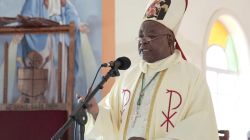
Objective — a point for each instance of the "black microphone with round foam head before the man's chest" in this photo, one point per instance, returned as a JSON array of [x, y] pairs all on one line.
[[122, 63]]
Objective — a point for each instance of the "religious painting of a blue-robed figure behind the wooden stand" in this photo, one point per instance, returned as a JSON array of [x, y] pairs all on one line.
[[39, 52]]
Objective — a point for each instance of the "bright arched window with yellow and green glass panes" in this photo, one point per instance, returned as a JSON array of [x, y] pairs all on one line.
[[226, 60]]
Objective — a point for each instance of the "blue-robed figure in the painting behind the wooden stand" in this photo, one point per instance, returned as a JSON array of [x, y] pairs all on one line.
[[64, 12]]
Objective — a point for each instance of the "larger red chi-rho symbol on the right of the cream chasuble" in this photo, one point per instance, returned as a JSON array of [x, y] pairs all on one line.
[[168, 116]]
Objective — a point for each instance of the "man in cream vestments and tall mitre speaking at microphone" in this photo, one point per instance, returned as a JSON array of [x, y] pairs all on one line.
[[164, 97]]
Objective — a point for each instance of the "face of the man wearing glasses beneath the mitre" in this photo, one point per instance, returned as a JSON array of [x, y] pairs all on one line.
[[156, 41]]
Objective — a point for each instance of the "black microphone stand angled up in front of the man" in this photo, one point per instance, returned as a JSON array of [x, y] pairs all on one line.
[[79, 115]]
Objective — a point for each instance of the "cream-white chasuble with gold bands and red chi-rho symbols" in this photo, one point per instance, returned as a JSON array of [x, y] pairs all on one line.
[[180, 105]]
